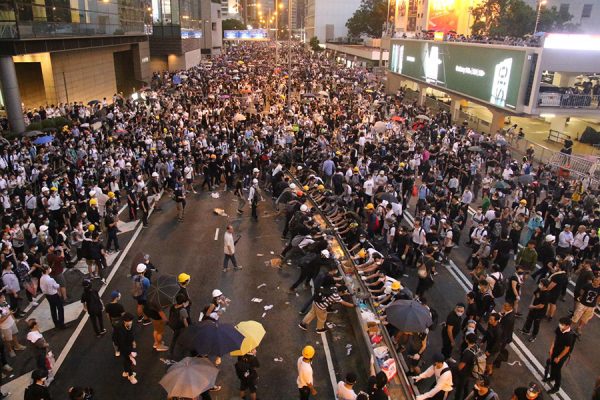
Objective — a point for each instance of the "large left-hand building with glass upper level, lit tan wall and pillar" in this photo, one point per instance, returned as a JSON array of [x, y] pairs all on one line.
[[57, 51]]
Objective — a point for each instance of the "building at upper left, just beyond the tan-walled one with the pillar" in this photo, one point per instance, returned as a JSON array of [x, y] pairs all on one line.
[[183, 32]]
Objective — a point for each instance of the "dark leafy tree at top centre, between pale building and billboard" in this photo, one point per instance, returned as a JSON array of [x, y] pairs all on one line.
[[368, 20]]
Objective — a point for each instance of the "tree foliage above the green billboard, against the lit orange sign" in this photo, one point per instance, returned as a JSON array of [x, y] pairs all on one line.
[[515, 18]]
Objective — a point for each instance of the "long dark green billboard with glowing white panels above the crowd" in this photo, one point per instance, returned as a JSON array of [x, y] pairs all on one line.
[[489, 74]]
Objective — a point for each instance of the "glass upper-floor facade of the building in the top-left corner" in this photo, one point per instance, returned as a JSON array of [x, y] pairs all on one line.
[[23, 19]]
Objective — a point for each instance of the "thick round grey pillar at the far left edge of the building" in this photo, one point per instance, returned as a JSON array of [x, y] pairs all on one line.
[[11, 94]]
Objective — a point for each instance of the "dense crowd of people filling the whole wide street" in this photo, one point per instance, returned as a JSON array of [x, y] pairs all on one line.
[[367, 157]]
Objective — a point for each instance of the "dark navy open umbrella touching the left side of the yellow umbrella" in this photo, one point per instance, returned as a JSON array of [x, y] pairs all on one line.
[[211, 338]]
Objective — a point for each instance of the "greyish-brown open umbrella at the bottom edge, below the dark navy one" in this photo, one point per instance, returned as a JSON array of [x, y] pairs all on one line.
[[189, 378]]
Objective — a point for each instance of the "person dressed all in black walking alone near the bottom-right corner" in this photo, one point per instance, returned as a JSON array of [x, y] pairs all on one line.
[[560, 351]]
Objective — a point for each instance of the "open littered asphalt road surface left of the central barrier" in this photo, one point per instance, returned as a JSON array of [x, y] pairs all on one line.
[[191, 247]]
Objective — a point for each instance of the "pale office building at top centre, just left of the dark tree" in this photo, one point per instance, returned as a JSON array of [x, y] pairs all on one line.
[[326, 19]]
